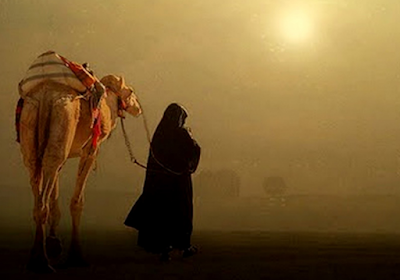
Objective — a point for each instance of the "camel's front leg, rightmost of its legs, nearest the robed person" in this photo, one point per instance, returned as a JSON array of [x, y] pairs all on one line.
[[76, 206]]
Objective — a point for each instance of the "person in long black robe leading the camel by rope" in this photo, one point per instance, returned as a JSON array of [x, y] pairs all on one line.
[[163, 214]]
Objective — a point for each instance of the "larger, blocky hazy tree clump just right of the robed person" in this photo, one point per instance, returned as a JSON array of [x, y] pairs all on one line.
[[217, 184]]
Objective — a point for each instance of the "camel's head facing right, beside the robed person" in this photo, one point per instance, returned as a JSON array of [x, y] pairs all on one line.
[[116, 85]]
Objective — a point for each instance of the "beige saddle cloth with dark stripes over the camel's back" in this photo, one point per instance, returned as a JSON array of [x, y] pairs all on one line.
[[53, 66]]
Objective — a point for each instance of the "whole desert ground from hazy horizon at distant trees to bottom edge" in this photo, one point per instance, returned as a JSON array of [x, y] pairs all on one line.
[[241, 238]]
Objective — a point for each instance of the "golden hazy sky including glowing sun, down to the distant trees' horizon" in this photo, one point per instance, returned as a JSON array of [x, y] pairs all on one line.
[[306, 90]]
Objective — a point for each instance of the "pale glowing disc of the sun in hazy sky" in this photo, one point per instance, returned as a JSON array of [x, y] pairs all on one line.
[[295, 26]]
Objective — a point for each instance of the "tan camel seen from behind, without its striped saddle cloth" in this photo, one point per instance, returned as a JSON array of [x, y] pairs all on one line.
[[56, 124]]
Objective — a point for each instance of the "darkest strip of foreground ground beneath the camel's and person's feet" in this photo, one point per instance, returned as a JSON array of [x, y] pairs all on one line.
[[223, 255]]
